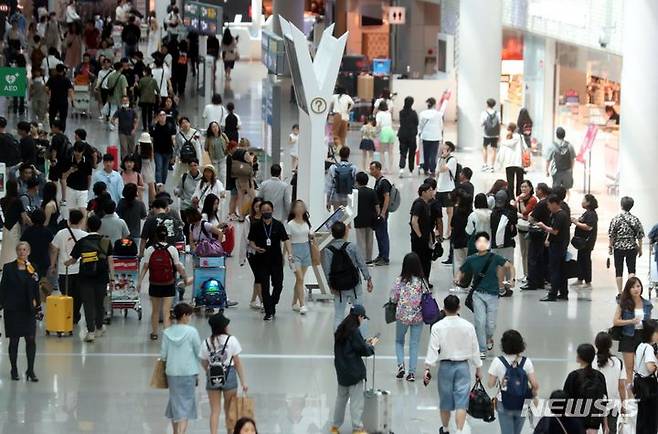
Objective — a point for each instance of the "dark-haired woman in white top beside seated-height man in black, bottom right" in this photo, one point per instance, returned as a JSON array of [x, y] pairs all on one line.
[[613, 370]]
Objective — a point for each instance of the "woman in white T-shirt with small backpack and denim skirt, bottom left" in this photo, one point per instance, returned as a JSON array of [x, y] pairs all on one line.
[[220, 357]]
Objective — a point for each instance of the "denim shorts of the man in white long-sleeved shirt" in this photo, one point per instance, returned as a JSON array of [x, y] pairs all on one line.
[[454, 380]]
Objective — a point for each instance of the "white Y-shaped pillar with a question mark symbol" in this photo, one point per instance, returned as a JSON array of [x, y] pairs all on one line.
[[314, 81]]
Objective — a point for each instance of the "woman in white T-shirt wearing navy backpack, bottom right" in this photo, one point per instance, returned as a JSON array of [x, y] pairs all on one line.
[[510, 419]]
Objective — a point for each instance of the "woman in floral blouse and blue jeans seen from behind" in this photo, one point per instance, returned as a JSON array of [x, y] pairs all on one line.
[[407, 292]]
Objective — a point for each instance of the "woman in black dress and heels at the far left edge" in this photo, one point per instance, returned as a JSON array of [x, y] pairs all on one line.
[[19, 296]]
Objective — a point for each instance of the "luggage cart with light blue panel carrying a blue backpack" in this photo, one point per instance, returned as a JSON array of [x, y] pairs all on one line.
[[209, 272]]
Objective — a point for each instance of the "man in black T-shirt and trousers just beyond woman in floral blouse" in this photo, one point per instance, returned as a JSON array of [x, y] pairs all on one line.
[[421, 228]]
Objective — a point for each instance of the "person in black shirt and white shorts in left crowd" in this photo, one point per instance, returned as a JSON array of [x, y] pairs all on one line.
[[76, 178]]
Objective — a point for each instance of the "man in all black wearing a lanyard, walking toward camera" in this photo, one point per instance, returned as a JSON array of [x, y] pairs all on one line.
[[265, 237]]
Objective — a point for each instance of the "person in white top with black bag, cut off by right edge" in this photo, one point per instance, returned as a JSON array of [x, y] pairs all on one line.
[[646, 365]]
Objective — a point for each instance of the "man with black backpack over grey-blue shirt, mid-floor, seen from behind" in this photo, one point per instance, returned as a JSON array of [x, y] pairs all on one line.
[[342, 262]]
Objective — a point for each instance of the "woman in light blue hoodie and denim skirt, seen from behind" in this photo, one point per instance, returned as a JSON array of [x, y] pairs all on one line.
[[180, 350]]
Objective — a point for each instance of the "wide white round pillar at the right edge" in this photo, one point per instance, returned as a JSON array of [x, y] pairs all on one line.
[[638, 152]]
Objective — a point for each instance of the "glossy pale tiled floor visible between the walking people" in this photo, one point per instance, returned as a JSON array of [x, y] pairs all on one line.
[[103, 387]]
